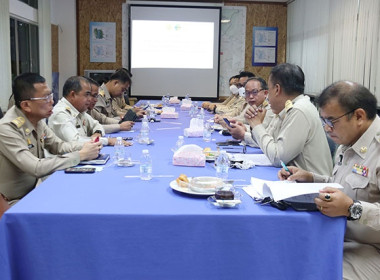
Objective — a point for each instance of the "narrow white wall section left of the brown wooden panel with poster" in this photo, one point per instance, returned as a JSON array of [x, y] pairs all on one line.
[[63, 14]]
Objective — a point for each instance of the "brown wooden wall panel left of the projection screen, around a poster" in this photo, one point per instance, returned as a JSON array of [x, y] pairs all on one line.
[[99, 11]]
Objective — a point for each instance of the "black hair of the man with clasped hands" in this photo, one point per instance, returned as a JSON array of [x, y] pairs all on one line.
[[290, 77]]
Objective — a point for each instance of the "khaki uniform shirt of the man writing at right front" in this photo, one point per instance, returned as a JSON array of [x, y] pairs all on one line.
[[363, 187]]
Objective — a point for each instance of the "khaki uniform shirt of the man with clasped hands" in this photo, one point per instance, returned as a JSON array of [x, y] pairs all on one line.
[[296, 137]]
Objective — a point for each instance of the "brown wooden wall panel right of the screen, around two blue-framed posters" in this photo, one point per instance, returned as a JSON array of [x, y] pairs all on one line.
[[269, 15]]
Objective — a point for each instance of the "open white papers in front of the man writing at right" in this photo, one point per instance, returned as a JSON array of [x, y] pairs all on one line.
[[285, 190]]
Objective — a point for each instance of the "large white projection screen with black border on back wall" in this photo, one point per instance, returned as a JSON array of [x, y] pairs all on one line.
[[174, 50]]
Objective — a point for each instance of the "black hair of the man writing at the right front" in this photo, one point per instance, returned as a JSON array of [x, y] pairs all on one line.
[[350, 96]]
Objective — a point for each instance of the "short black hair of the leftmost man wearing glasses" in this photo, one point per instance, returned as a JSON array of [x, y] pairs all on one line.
[[23, 86]]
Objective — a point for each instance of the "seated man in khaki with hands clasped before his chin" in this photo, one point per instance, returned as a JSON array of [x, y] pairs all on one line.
[[295, 135]]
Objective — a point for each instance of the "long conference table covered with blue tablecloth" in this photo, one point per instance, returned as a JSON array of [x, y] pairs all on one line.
[[108, 226]]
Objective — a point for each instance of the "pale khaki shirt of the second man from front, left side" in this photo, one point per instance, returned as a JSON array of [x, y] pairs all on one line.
[[71, 125]]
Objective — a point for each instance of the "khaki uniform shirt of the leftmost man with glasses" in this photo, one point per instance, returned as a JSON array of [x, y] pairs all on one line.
[[22, 158]]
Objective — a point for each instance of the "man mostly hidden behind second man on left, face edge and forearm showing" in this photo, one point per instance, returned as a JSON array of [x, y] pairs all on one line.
[[110, 125]]
